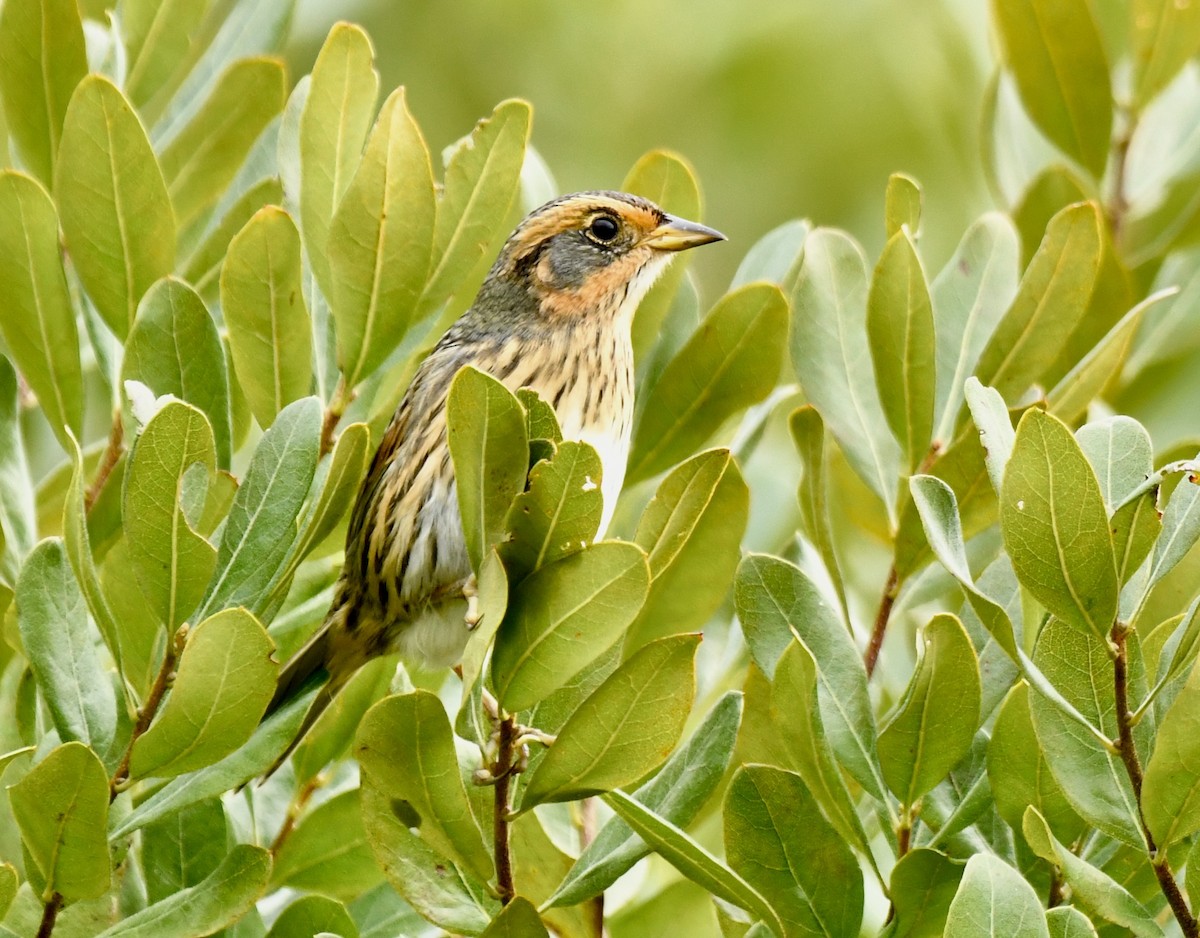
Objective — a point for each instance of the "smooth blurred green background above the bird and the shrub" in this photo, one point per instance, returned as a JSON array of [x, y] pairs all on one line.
[[787, 110]]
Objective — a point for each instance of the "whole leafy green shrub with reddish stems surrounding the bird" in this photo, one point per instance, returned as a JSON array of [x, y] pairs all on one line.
[[239, 280]]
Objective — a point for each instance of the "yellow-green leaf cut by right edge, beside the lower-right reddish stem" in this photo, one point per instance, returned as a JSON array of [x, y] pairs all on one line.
[[1171, 795]]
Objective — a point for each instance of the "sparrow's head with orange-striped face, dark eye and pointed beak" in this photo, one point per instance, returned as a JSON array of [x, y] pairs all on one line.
[[592, 254]]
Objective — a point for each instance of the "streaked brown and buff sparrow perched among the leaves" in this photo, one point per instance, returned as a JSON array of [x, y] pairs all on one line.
[[554, 315]]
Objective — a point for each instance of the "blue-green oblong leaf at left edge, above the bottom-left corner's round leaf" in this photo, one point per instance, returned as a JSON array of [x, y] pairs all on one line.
[[61, 645]]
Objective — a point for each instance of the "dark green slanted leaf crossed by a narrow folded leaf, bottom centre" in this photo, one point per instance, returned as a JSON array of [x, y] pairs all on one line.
[[677, 795]]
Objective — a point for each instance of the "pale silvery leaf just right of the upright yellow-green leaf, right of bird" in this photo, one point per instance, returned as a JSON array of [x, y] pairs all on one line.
[[970, 298]]
